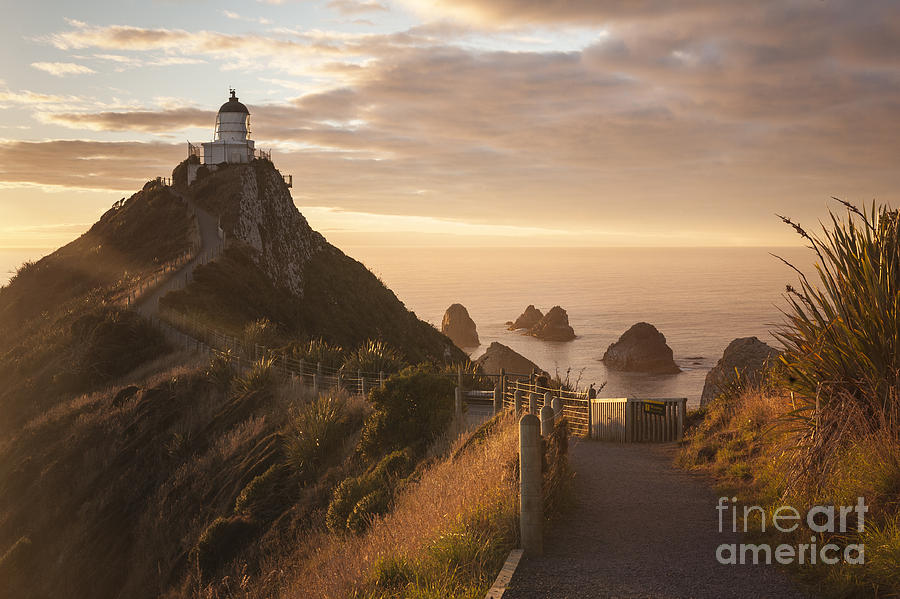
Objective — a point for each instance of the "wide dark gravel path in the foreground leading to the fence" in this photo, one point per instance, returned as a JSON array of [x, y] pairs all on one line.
[[640, 528]]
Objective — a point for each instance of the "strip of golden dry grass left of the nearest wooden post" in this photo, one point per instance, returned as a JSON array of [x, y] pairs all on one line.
[[483, 475]]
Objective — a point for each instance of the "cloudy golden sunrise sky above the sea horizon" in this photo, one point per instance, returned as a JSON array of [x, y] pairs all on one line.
[[464, 122]]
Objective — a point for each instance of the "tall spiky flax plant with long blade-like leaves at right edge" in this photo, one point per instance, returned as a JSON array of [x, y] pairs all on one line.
[[842, 335]]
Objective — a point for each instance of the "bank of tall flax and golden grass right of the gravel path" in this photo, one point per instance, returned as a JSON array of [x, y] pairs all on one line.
[[822, 426]]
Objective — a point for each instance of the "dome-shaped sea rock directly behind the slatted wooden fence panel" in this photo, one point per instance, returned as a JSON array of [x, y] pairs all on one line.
[[641, 348]]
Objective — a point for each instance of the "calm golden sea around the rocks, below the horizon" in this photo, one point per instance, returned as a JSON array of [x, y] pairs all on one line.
[[699, 298]]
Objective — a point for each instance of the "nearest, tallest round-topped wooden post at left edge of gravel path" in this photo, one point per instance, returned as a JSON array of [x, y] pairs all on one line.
[[530, 497]]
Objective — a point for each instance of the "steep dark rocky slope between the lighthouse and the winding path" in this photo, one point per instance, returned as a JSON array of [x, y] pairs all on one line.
[[278, 268]]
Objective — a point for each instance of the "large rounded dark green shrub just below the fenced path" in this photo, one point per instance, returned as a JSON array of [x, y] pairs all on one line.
[[411, 409]]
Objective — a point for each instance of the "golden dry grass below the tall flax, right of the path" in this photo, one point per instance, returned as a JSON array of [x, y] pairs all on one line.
[[754, 446]]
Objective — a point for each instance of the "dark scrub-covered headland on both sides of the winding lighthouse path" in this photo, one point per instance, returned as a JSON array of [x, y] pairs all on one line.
[[140, 472]]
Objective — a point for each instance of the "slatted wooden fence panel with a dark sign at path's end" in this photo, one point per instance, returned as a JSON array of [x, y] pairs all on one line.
[[638, 420]]
